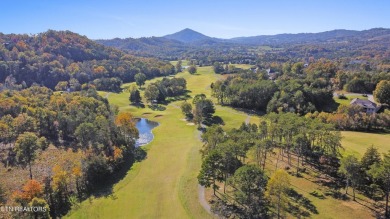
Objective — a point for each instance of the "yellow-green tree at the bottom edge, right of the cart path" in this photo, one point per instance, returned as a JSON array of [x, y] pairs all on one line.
[[277, 189]]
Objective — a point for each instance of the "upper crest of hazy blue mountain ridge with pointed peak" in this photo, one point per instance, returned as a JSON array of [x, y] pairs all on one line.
[[189, 36]]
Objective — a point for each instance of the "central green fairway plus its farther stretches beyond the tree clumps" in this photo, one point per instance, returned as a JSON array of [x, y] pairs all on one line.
[[165, 184]]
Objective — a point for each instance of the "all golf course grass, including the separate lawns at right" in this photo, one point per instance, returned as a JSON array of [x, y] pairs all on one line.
[[164, 185]]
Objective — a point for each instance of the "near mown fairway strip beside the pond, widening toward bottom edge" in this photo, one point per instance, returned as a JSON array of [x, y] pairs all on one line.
[[154, 188]]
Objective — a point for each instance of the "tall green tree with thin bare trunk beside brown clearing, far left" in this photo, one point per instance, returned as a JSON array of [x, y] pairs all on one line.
[[26, 149]]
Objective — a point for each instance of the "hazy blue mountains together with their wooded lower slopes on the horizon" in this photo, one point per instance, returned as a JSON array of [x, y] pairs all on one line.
[[190, 43]]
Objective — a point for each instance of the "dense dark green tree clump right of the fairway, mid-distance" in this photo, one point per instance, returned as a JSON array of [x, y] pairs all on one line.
[[255, 91]]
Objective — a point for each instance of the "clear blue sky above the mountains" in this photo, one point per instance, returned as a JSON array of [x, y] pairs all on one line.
[[217, 18]]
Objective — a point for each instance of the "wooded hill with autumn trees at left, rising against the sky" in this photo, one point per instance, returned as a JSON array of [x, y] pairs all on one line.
[[62, 56]]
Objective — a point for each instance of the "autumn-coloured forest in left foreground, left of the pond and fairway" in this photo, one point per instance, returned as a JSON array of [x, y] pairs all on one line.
[[94, 139]]
